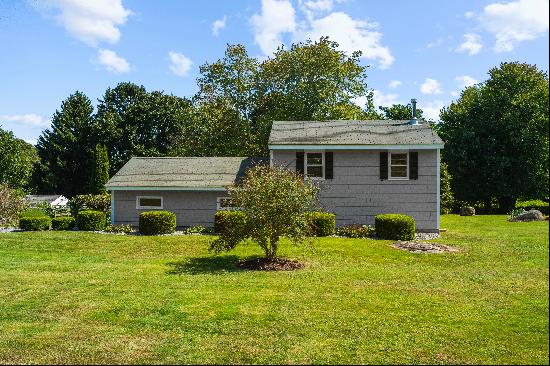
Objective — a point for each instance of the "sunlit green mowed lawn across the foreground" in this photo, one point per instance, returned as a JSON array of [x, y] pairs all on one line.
[[69, 297]]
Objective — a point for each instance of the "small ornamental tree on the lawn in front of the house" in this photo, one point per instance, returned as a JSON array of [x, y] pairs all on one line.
[[274, 200]]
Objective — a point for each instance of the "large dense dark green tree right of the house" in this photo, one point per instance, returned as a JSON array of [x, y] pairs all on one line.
[[496, 137]]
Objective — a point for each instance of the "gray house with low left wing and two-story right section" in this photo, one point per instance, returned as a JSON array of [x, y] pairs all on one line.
[[364, 168]]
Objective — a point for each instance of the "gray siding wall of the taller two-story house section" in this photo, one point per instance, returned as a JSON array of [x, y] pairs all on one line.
[[356, 194]]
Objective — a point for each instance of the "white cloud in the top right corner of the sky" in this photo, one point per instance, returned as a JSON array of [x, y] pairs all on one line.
[[515, 22]]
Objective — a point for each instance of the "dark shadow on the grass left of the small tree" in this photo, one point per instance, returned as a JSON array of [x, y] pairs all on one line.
[[210, 264]]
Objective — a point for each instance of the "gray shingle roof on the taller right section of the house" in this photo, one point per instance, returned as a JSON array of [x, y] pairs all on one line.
[[352, 132]]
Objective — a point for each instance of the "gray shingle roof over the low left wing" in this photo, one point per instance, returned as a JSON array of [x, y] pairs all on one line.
[[196, 172]]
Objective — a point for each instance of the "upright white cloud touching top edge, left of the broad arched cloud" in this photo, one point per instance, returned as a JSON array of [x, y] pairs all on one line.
[[277, 17]]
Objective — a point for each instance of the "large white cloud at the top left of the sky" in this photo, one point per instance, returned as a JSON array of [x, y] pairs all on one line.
[[91, 21]]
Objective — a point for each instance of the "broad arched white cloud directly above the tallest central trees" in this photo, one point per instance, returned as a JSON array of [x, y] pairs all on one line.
[[351, 34]]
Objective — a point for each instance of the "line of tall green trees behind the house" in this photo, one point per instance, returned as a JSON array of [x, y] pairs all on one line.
[[496, 133]]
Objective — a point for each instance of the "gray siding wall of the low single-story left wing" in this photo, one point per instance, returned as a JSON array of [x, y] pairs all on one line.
[[191, 207]]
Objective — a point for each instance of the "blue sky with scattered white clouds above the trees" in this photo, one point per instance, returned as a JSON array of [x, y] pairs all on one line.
[[424, 49]]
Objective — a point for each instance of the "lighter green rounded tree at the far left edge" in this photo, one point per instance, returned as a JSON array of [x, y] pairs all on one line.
[[17, 160]]
